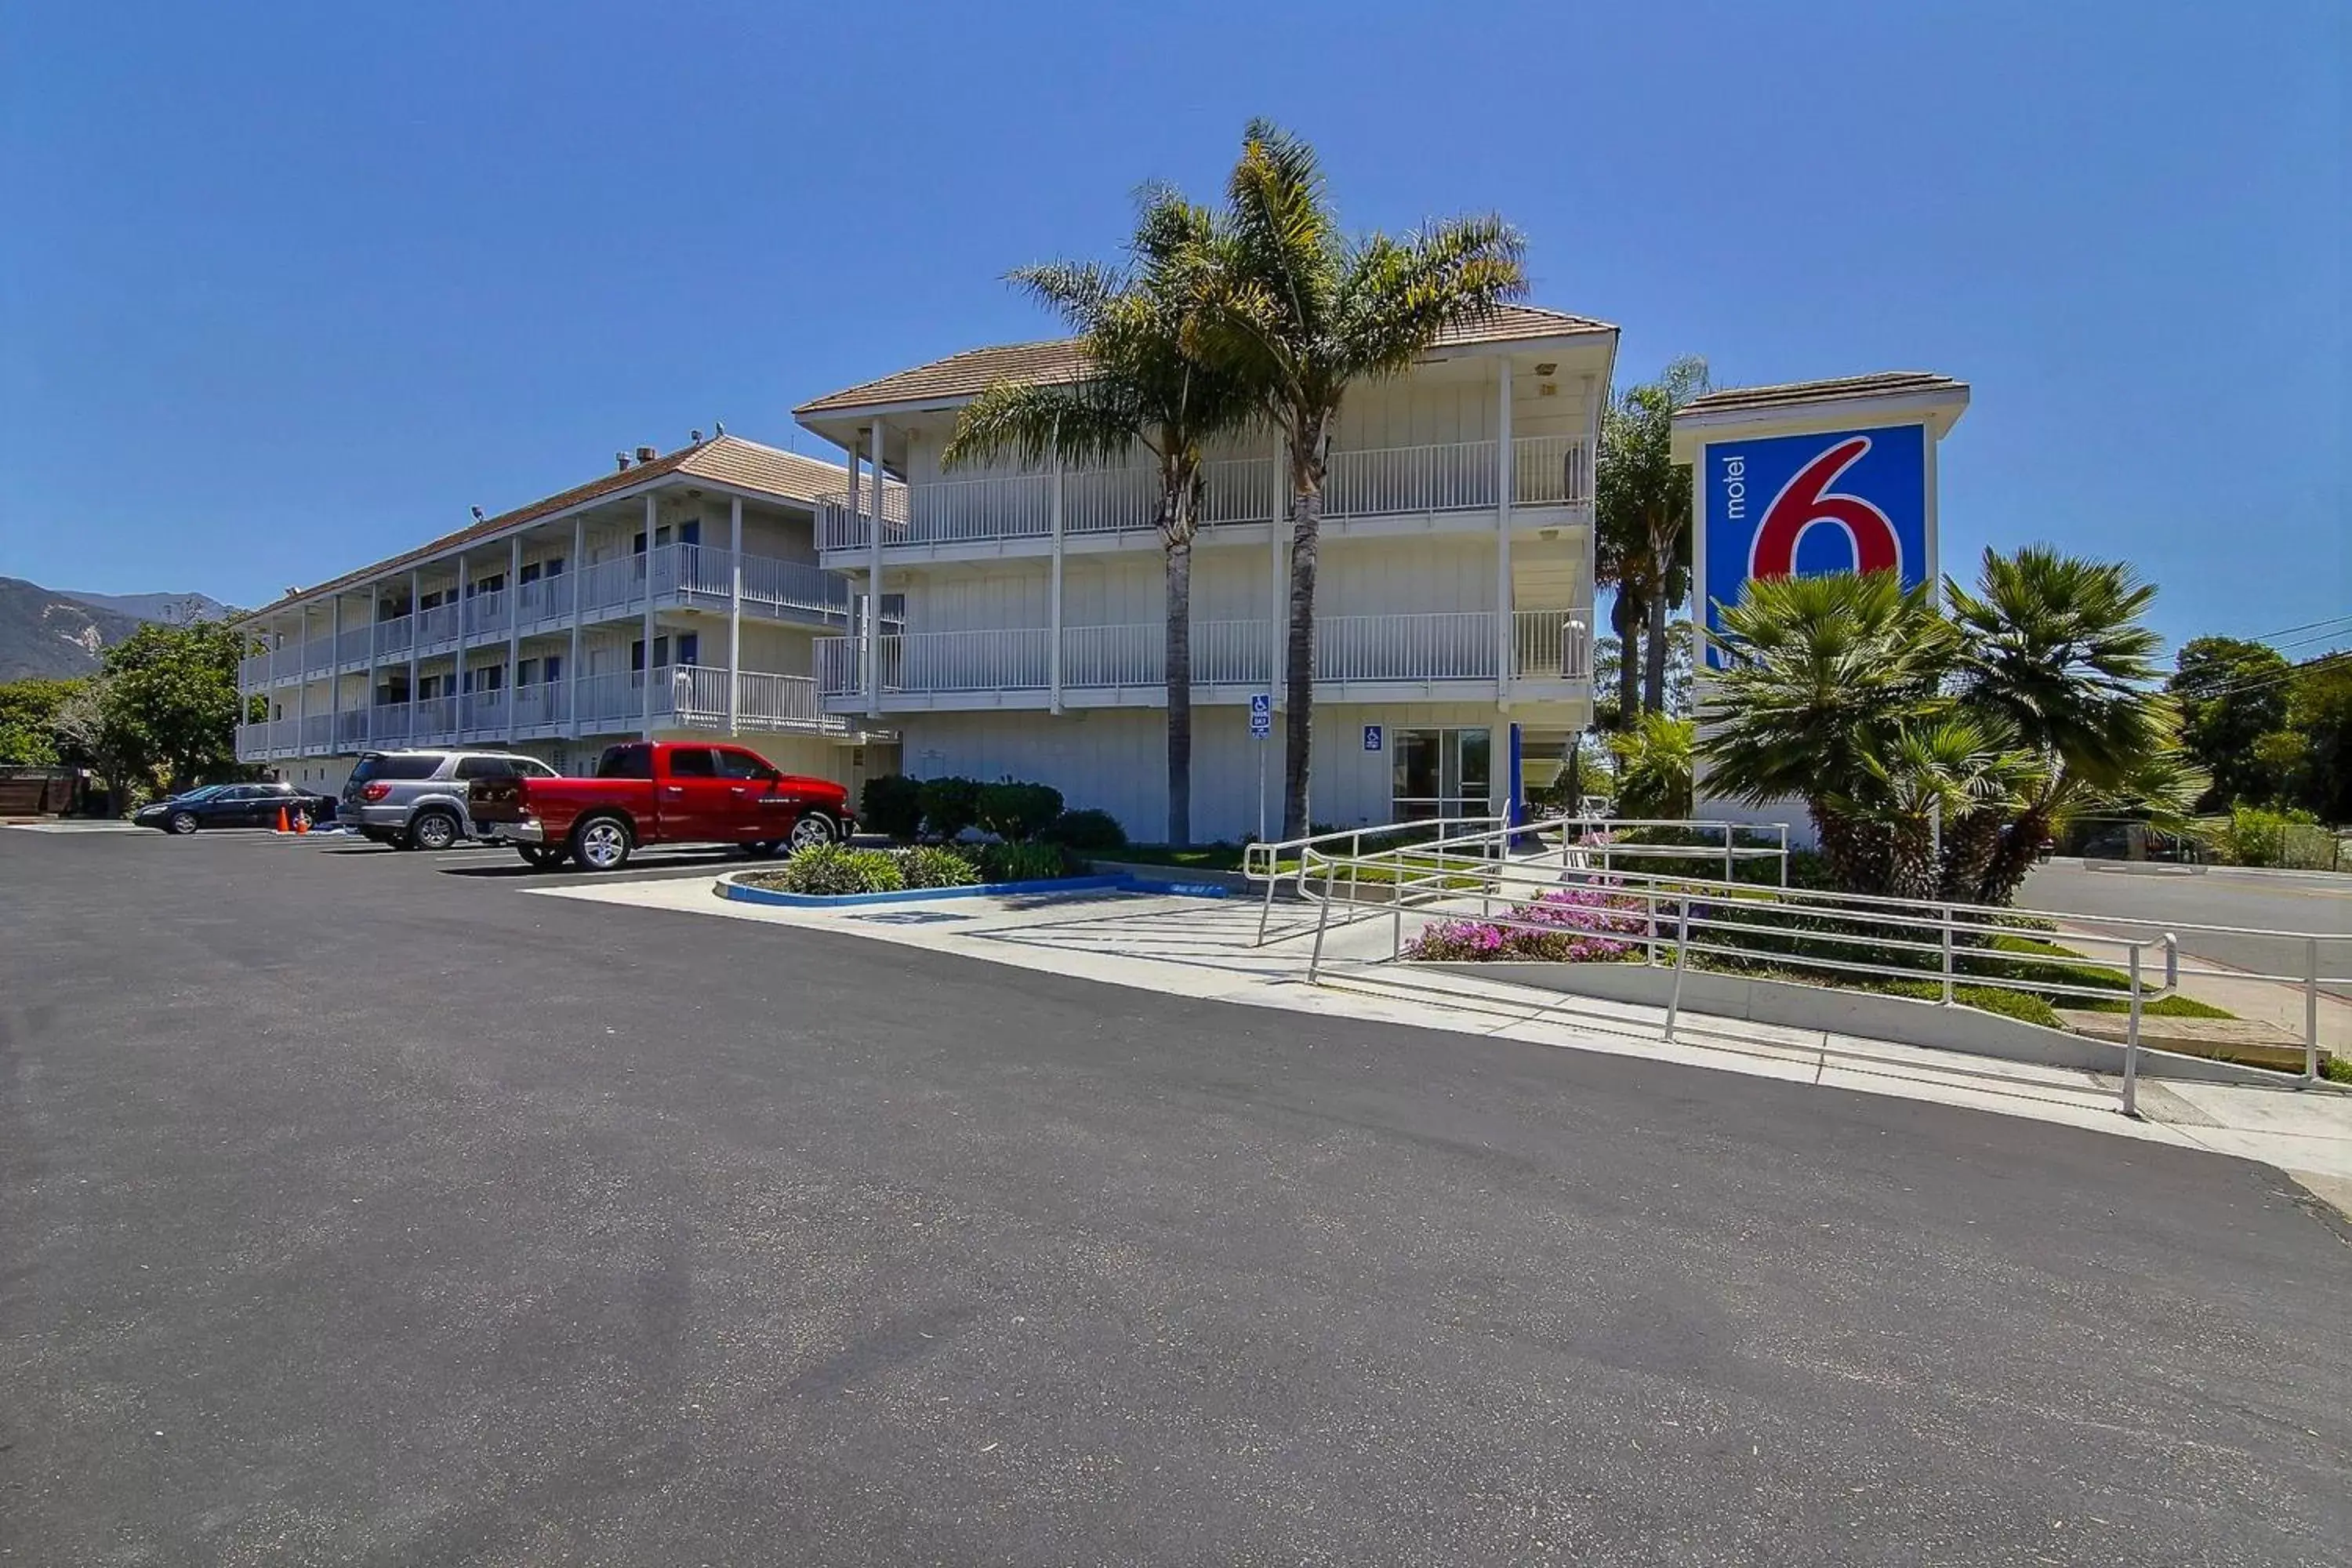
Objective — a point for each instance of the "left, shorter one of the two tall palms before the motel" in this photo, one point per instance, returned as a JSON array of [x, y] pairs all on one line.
[[1142, 389]]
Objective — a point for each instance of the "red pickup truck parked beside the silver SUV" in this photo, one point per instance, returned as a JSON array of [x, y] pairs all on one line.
[[660, 793]]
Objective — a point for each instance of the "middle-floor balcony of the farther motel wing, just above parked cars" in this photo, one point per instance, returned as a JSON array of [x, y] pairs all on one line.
[[683, 697]]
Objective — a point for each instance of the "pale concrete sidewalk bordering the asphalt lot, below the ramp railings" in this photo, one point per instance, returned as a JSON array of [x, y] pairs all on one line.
[[1203, 949]]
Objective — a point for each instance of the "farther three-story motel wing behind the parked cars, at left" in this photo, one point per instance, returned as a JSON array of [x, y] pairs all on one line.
[[676, 596]]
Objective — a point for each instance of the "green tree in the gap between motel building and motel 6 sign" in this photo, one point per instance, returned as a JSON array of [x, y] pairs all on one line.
[[1643, 509]]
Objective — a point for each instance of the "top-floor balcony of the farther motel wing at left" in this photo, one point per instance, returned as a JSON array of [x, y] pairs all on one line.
[[679, 577]]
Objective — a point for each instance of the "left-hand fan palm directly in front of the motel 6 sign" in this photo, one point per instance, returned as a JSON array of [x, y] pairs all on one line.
[[1826, 676]]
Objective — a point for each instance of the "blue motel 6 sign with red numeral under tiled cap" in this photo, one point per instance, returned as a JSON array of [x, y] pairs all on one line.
[[1810, 485]]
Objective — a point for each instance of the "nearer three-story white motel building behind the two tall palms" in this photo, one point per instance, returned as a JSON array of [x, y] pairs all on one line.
[[1022, 624]]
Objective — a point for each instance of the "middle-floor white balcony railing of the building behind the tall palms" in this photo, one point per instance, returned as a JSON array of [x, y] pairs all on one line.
[[1408, 650]]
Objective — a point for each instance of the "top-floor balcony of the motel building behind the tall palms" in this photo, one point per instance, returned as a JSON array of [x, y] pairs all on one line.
[[1384, 490]]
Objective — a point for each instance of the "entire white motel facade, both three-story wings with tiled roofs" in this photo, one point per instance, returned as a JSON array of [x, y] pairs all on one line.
[[728, 591]]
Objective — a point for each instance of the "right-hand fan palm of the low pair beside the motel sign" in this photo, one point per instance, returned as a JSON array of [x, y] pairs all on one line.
[[2057, 648]]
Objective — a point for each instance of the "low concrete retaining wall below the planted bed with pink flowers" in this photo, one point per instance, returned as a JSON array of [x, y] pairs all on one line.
[[1864, 1014]]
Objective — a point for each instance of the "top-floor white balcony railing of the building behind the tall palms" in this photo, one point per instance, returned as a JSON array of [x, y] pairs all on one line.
[[1363, 483]]
